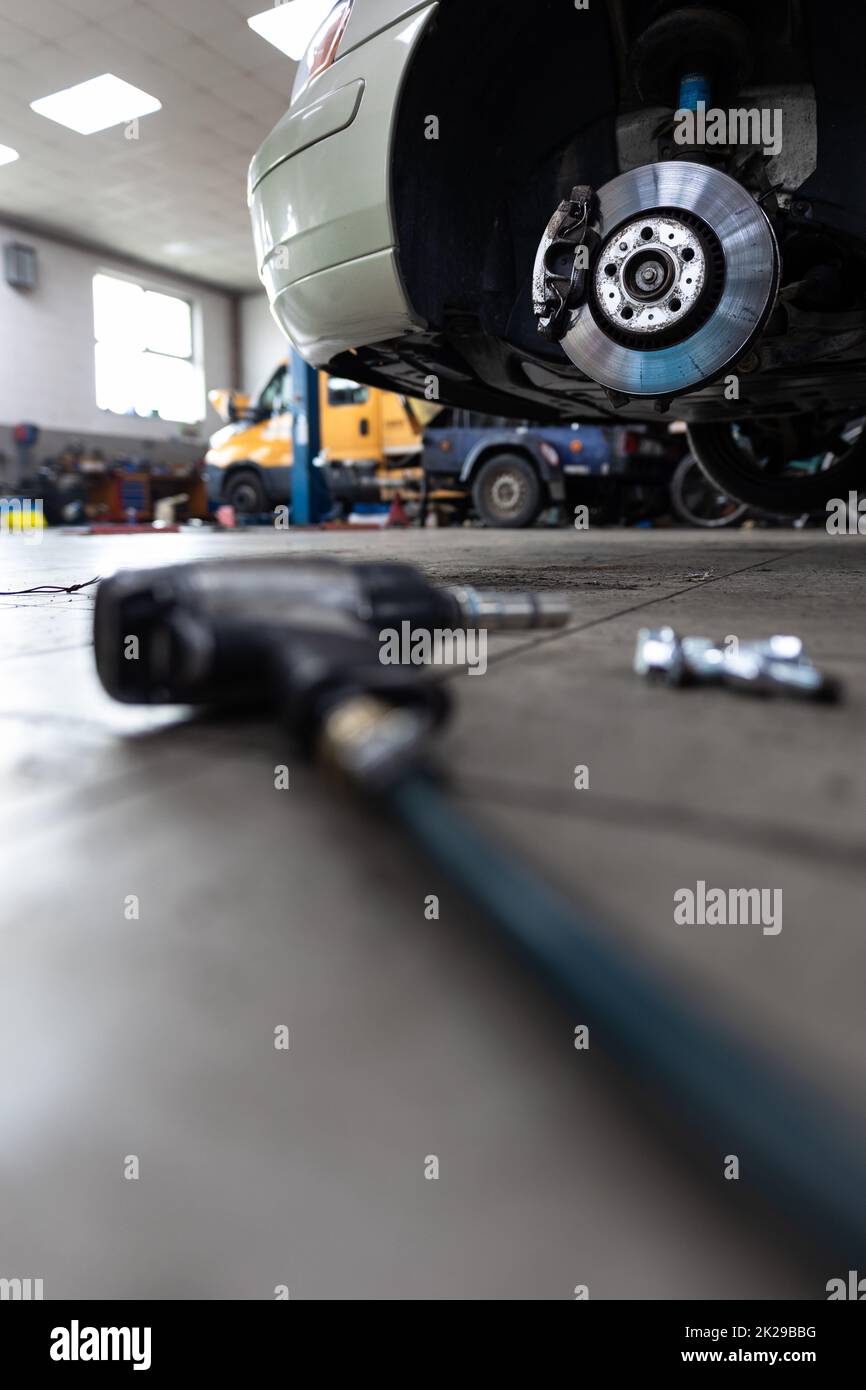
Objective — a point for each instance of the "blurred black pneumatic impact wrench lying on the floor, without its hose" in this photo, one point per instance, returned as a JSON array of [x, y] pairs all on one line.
[[298, 636]]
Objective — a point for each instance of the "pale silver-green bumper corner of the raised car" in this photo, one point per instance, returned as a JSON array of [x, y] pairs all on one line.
[[320, 199]]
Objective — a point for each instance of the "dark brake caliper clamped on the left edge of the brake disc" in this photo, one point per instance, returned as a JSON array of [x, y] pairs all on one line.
[[564, 261]]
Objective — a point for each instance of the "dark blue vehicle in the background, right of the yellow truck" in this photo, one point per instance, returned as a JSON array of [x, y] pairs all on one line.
[[511, 473]]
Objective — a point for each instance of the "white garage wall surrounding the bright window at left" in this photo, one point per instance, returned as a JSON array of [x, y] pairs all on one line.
[[47, 343]]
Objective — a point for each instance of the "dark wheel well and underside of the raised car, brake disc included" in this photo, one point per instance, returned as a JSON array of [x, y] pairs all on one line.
[[630, 211]]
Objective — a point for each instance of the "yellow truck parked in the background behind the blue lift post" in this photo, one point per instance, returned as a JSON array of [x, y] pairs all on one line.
[[370, 444]]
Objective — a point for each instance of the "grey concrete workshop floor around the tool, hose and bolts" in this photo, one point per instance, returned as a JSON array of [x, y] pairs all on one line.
[[414, 1038]]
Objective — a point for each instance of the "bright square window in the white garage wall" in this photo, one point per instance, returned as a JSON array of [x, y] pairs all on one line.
[[144, 352]]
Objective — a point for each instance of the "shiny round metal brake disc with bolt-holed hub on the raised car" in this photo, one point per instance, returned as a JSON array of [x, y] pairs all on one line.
[[686, 276]]
